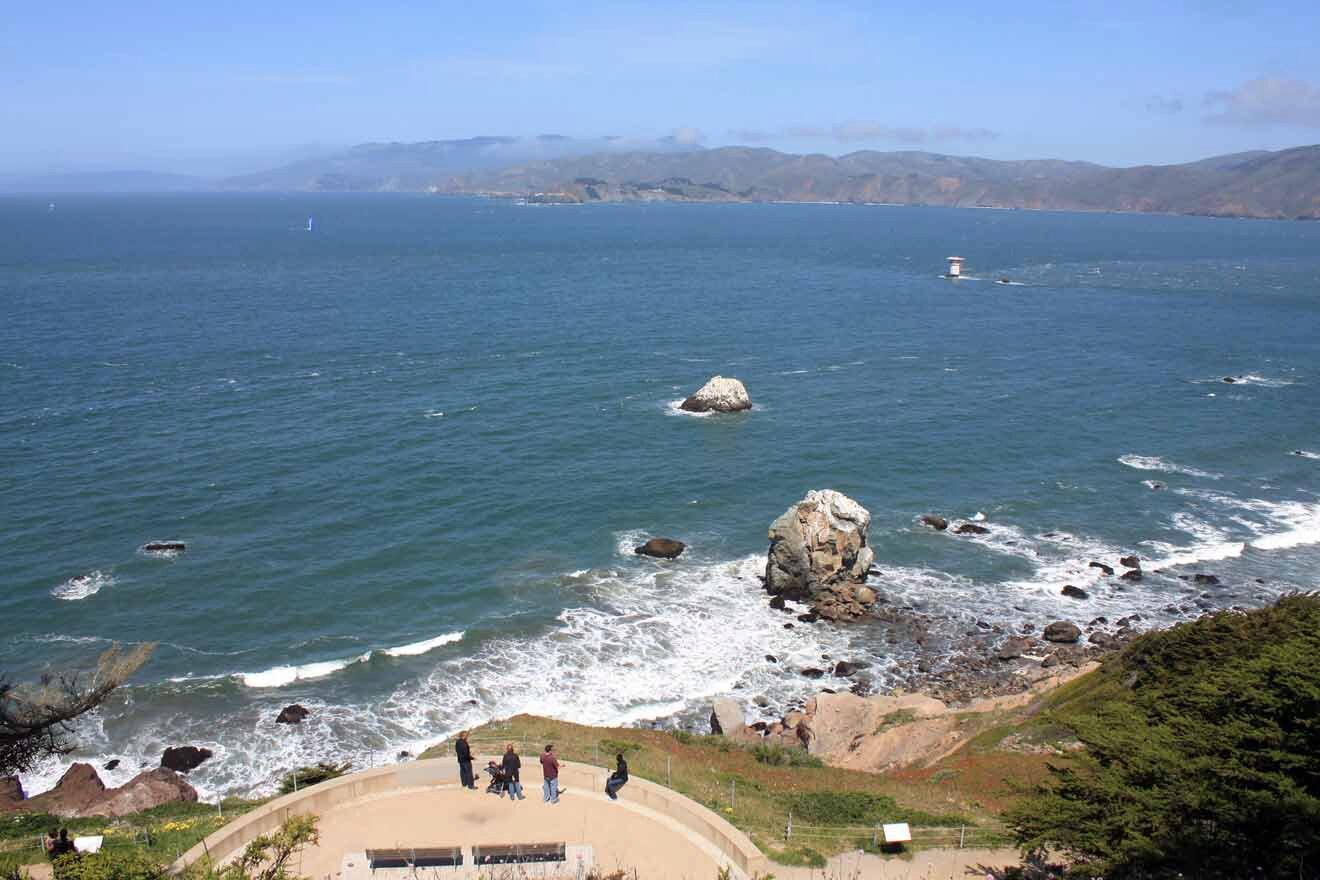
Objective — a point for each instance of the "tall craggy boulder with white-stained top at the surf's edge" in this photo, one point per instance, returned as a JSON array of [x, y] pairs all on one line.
[[819, 555]]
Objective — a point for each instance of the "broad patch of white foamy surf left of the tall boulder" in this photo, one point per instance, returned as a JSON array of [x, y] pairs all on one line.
[[653, 643]]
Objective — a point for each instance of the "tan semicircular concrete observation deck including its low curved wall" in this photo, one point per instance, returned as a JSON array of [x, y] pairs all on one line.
[[653, 829]]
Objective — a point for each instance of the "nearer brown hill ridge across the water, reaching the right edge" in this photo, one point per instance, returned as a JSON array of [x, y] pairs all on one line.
[[1284, 184]]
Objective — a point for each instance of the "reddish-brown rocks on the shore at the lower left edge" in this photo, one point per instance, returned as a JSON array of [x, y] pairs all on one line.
[[80, 794]]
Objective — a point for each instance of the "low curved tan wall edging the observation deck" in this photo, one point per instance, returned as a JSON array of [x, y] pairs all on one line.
[[229, 841]]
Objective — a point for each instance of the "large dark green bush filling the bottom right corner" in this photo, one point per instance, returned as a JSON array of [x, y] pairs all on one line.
[[1203, 754]]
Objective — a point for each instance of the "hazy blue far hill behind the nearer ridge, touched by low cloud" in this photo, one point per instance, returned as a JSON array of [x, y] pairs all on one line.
[[387, 168]]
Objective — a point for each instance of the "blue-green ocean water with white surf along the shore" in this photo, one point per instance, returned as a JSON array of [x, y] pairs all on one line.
[[411, 452]]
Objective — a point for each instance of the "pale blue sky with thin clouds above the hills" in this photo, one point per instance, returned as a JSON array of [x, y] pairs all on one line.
[[226, 88]]
